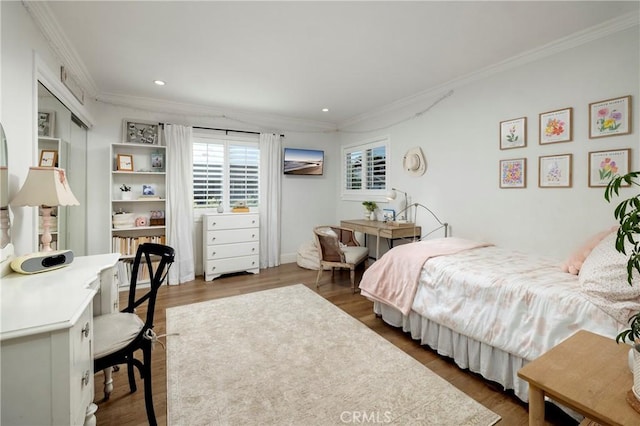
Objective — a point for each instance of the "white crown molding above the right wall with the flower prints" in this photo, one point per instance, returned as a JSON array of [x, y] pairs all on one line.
[[602, 30]]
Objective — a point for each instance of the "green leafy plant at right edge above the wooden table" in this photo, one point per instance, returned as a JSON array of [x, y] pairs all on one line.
[[628, 215]]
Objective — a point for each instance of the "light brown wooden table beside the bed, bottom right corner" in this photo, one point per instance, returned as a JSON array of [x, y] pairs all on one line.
[[588, 373]]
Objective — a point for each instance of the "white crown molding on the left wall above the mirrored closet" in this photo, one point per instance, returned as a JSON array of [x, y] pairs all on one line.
[[53, 33]]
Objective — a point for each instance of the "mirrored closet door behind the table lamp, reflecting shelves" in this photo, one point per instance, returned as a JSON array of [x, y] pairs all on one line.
[[60, 132]]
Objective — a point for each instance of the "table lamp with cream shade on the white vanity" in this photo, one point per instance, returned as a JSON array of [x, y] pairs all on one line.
[[45, 187]]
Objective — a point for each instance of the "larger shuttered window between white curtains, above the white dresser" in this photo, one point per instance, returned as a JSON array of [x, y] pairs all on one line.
[[225, 171]]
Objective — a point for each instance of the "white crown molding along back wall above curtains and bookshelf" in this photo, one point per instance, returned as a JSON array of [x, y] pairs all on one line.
[[255, 120]]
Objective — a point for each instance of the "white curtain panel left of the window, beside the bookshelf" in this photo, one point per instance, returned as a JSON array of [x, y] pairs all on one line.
[[180, 201]]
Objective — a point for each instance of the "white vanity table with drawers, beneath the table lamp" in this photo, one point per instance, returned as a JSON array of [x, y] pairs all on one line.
[[46, 332]]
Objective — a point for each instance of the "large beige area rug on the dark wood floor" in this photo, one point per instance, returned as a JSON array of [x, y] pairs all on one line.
[[287, 356]]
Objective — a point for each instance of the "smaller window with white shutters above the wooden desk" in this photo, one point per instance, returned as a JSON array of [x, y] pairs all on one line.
[[365, 170]]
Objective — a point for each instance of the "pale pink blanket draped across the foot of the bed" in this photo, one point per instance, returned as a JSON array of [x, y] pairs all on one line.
[[393, 279]]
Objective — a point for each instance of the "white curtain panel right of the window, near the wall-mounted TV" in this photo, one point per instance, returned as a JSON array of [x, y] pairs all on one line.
[[270, 195]]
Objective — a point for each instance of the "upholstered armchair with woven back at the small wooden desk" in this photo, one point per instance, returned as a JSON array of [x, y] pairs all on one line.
[[338, 248]]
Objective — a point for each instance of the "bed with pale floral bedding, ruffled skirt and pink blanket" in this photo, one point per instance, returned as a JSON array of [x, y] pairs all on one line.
[[493, 310]]
